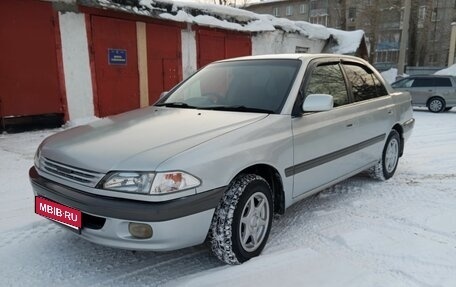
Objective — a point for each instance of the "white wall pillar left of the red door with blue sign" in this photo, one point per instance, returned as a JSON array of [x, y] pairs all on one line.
[[76, 65]]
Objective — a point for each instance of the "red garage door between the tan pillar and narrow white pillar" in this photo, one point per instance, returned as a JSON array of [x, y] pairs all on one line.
[[163, 59]]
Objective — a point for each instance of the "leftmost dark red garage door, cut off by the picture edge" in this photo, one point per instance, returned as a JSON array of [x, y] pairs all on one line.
[[29, 77]]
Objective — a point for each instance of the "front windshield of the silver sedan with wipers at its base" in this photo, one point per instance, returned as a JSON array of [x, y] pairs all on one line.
[[246, 86]]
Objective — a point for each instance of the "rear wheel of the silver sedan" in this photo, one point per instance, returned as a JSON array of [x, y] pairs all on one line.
[[386, 167]]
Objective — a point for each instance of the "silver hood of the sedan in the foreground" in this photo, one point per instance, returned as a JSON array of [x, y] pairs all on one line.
[[141, 139]]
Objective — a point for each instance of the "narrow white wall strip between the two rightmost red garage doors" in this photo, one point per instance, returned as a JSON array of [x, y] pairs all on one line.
[[188, 39]]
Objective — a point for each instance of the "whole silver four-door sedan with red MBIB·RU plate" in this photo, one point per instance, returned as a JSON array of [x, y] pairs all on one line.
[[223, 151]]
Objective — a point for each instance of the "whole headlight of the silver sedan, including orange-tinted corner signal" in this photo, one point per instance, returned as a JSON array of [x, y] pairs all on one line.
[[149, 183]]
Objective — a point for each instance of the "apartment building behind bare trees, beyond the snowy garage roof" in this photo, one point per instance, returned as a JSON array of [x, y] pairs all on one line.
[[429, 34]]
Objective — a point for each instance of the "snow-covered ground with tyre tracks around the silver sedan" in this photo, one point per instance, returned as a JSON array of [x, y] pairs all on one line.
[[358, 233]]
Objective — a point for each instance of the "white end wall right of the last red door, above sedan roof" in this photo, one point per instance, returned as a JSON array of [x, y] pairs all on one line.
[[278, 42]]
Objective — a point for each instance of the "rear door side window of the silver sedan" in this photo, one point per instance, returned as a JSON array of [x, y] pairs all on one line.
[[363, 83]]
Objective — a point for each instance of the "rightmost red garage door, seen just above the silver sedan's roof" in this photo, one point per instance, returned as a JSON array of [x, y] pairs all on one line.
[[217, 45]]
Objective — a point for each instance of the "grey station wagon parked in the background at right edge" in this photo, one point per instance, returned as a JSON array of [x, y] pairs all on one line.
[[436, 92]]
